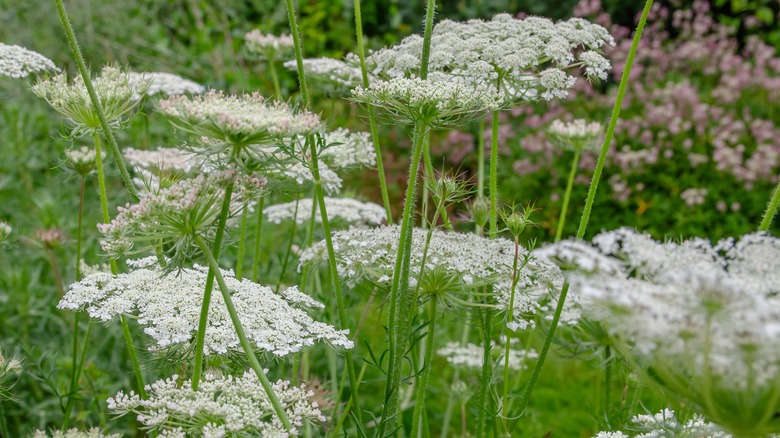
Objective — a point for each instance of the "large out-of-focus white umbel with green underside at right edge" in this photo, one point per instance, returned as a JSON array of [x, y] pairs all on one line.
[[702, 320]]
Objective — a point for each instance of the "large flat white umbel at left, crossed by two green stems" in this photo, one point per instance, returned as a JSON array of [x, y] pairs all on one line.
[[168, 305]]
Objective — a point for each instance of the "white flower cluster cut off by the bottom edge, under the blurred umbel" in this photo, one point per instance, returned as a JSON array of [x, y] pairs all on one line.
[[665, 425]]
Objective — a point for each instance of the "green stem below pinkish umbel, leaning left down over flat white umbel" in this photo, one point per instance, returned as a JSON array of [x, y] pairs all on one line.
[[200, 339]]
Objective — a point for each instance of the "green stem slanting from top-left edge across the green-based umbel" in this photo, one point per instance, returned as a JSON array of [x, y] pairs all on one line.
[[82, 66]]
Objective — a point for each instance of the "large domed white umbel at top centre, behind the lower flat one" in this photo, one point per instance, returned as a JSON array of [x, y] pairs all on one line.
[[506, 50]]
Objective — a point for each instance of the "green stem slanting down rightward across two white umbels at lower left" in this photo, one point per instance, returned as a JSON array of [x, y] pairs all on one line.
[[250, 354]]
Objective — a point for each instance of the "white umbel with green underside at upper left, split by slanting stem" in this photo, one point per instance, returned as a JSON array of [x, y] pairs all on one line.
[[72, 100]]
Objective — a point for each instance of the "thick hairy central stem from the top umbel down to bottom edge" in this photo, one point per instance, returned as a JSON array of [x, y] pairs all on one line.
[[399, 290]]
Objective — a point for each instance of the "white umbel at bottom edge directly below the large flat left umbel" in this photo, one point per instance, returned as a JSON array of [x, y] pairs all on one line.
[[226, 406]]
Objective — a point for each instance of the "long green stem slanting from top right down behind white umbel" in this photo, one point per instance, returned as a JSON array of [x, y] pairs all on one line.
[[588, 205]]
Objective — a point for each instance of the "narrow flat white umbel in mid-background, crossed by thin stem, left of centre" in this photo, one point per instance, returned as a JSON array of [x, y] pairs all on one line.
[[344, 209]]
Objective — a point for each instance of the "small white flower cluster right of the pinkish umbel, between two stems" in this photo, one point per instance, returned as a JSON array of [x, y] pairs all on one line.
[[348, 149]]
